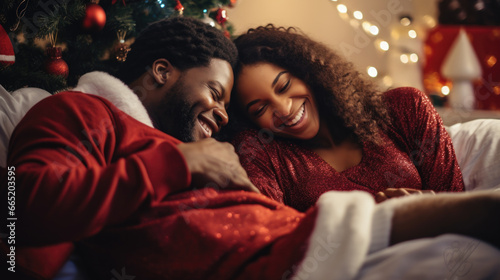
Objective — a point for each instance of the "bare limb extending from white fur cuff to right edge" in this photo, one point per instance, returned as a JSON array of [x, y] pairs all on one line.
[[472, 214]]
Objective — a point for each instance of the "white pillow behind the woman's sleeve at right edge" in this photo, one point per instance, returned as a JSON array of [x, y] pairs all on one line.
[[477, 146]]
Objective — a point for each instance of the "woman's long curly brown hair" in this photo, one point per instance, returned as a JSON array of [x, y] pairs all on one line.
[[346, 100]]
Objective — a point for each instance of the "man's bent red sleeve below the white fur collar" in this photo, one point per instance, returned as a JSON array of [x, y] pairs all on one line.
[[77, 170]]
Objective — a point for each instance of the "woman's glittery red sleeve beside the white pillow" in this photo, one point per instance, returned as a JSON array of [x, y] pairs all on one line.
[[420, 130]]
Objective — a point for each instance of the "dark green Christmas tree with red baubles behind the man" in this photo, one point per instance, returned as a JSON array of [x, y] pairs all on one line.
[[57, 41]]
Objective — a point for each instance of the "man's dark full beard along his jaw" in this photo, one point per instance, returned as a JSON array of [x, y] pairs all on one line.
[[175, 115]]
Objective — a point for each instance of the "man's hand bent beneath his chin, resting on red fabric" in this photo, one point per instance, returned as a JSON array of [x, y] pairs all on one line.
[[216, 165]]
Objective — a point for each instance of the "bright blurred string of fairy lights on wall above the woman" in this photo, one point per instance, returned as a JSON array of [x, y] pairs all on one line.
[[357, 20]]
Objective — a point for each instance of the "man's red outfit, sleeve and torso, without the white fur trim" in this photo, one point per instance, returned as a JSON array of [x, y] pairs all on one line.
[[86, 172]]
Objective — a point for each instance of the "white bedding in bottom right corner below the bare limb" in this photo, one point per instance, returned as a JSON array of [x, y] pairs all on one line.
[[451, 257]]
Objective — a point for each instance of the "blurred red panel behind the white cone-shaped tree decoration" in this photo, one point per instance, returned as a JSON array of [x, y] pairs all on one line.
[[486, 43]]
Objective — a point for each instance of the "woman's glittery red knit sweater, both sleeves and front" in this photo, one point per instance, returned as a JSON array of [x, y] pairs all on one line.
[[416, 153]]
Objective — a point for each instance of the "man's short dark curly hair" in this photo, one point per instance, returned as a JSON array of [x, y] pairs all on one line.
[[185, 42]]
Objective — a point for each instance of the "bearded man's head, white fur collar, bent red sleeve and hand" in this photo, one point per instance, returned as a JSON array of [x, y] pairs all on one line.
[[93, 156]]
